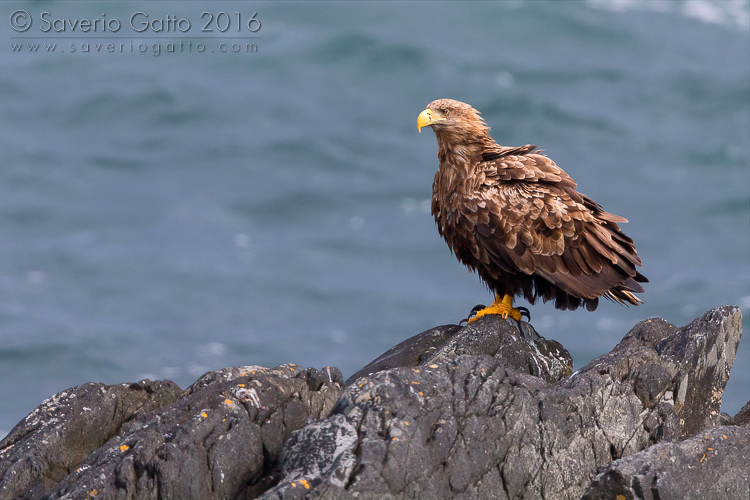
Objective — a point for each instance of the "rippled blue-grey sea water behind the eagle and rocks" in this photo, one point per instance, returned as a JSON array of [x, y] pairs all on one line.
[[164, 215]]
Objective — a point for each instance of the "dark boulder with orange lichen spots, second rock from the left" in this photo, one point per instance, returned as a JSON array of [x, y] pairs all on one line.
[[220, 440]]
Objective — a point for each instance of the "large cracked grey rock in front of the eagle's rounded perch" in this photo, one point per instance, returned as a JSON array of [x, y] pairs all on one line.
[[473, 426]]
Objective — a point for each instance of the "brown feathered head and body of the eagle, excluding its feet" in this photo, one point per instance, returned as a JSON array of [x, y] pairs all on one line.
[[515, 217]]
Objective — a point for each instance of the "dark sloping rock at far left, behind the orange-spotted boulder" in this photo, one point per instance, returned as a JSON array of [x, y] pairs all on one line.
[[60, 433]]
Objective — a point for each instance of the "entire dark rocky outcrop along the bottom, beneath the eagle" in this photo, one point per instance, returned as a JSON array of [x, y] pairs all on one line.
[[487, 410]]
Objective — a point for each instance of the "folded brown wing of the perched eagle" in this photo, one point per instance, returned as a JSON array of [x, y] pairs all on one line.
[[529, 218]]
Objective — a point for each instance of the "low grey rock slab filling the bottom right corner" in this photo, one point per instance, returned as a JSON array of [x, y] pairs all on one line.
[[713, 464]]
